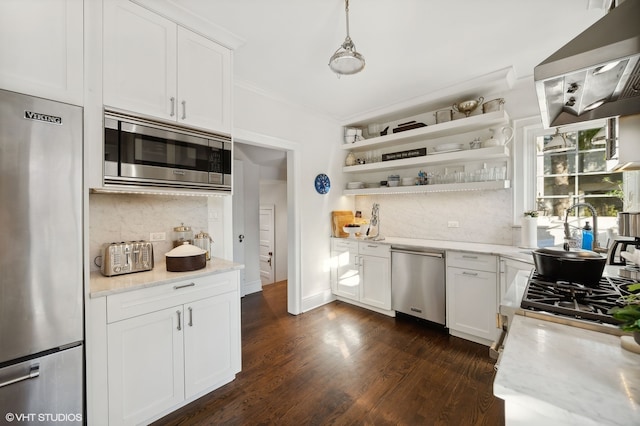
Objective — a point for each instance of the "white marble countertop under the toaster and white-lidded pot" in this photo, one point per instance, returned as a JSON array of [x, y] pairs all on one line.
[[100, 286]]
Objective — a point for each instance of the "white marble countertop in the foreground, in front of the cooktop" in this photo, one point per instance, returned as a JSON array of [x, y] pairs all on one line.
[[568, 374]]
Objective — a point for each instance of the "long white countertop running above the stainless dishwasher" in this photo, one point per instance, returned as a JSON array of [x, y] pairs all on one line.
[[513, 252]]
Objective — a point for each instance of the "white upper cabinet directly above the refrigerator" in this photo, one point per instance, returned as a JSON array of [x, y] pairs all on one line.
[[41, 48]]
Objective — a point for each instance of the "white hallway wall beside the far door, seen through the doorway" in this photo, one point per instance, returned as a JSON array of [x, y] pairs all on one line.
[[275, 193]]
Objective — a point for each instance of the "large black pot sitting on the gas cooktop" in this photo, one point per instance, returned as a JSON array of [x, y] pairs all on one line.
[[579, 266]]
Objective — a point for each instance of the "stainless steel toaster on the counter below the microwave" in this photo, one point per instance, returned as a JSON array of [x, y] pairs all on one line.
[[127, 257]]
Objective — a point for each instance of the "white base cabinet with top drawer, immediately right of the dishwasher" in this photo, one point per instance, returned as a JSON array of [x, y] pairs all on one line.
[[472, 301]]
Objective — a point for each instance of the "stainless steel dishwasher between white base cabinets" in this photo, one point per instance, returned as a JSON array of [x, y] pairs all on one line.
[[417, 282]]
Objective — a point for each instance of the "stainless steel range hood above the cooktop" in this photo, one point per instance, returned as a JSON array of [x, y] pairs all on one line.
[[595, 75]]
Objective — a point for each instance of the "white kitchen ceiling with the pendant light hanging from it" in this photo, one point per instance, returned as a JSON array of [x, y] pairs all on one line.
[[412, 47]]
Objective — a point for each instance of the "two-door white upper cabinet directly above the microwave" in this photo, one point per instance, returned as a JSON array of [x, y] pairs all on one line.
[[155, 67]]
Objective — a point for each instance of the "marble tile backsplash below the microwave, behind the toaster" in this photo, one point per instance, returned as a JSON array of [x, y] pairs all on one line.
[[130, 217]]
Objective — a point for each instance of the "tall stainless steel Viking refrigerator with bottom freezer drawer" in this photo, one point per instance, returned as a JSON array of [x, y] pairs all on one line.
[[41, 291]]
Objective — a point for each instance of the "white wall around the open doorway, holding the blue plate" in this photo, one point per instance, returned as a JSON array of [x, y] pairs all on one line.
[[317, 139]]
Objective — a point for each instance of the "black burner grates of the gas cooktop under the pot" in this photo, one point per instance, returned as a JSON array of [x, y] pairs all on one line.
[[574, 299]]
